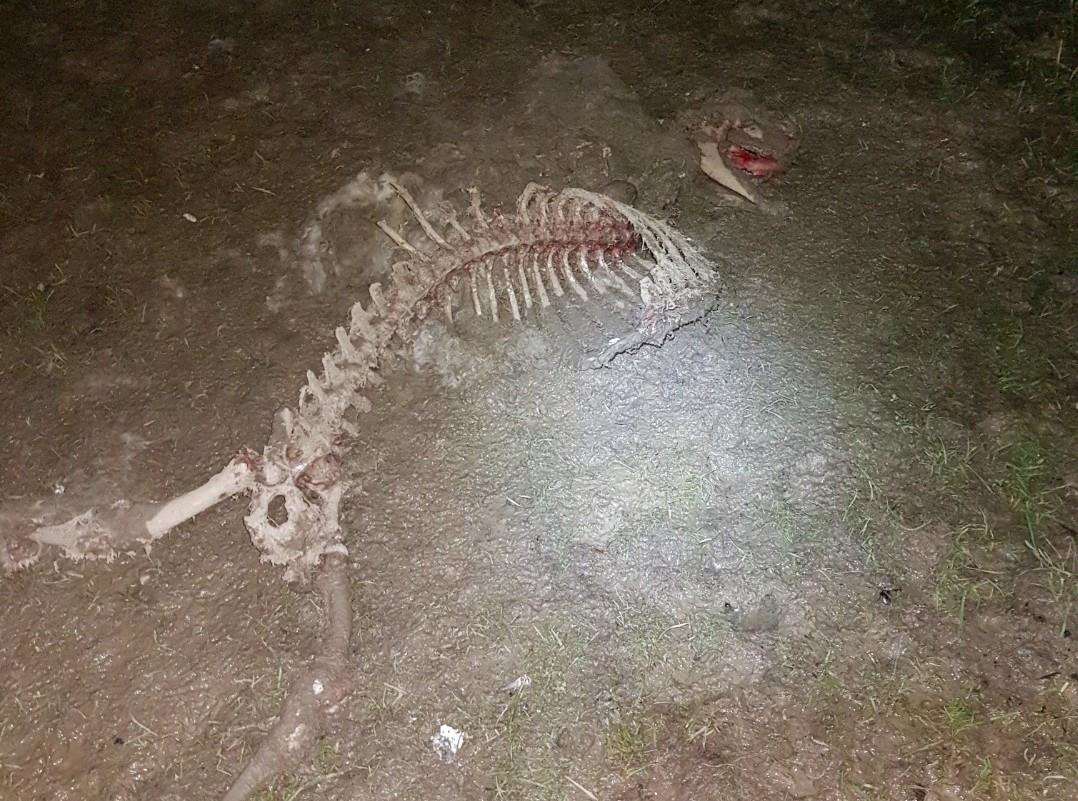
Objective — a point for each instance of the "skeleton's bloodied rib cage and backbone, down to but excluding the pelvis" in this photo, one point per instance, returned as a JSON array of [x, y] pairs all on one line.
[[556, 244]]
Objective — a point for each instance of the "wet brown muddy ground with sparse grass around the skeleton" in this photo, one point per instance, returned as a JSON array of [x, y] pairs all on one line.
[[822, 546]]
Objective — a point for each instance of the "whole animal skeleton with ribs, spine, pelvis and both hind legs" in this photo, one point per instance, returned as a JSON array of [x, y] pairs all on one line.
[[556, 245]]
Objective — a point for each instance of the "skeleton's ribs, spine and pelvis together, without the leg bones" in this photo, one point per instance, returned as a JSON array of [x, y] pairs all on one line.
[[571, 243]]
